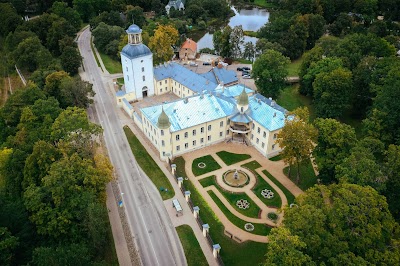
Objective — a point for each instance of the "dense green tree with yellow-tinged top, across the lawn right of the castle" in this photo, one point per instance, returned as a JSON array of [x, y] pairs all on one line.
[[333, 92]]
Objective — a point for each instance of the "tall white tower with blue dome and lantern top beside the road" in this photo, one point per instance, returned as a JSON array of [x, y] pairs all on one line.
[[137, 66]]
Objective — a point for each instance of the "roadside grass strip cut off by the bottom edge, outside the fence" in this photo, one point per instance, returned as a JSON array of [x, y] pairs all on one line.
[[194, 254]]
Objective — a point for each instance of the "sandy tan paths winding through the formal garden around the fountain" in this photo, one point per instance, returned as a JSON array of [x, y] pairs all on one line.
[[275, 168]]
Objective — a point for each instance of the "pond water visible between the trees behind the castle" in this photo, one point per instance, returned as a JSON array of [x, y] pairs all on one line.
[[250, 19]]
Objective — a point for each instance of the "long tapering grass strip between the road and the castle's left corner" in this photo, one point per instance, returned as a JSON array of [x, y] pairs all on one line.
[[148, 165]]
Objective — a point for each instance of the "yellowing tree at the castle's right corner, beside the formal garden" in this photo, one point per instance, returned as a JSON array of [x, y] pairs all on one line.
[[297, 139]]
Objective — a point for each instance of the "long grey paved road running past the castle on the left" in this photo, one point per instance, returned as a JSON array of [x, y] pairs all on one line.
[[154, 235]]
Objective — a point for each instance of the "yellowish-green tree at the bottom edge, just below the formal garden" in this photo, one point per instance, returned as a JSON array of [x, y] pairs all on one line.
[[285, 249]]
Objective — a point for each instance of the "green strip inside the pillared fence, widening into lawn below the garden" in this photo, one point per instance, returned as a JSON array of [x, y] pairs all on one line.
[[251, 253]]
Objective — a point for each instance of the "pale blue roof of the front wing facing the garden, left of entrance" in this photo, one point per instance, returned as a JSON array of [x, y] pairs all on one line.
[[192, 111]]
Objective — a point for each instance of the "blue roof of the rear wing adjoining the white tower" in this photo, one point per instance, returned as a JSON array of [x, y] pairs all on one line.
[[184, 76]]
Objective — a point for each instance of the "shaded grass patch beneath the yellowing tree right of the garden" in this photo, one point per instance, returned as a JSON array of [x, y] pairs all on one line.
[[307, 175]]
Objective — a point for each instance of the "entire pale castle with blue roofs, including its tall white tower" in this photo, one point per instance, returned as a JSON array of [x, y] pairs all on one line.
[[212, 107]]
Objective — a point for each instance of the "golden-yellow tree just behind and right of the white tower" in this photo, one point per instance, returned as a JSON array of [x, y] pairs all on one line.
[[161, 43]]
